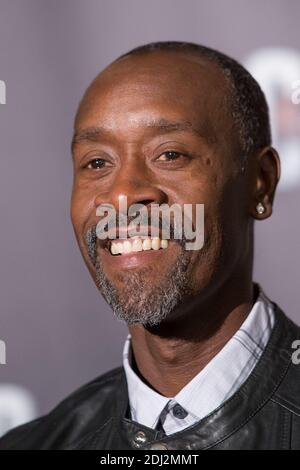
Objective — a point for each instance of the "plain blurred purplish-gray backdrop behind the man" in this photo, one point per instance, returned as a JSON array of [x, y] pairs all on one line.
[[57, 330]]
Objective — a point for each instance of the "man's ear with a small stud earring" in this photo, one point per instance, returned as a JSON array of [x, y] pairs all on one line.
[[267, 174]]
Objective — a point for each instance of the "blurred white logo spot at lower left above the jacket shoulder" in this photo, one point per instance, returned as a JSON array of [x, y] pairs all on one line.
[[17, 406]]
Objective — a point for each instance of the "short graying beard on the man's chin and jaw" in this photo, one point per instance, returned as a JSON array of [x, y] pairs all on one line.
[[131, 306]]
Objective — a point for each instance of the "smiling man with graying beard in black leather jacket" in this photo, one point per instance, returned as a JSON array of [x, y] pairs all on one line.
[[207, 362]]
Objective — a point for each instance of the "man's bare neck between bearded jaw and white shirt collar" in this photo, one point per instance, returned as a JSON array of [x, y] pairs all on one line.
[[170, 355]]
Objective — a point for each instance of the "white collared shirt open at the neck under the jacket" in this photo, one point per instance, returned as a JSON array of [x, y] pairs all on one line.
[[214, 384]]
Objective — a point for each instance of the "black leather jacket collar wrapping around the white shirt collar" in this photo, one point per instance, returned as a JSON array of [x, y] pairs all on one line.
[[120, 432]]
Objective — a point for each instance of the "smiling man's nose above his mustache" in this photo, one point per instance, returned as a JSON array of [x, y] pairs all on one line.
[[133, 182]]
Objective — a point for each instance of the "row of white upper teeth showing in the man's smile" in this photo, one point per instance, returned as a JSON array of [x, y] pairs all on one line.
[[121, 247]]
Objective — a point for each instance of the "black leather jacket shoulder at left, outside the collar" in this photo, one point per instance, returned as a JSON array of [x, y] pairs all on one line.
[[83, 411]]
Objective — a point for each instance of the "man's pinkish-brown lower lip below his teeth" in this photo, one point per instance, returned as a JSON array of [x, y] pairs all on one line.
[[134, 259]]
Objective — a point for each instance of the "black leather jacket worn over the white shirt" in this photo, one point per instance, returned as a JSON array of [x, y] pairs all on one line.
[[263, 414]]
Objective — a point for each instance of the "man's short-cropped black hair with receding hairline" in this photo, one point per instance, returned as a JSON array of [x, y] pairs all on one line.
[[248, 105]]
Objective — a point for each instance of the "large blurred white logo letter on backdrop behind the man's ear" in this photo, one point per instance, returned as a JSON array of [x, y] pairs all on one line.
[[277, 70]]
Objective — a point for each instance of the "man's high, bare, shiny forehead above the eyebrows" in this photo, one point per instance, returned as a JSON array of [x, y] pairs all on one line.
[[136, 89]]
